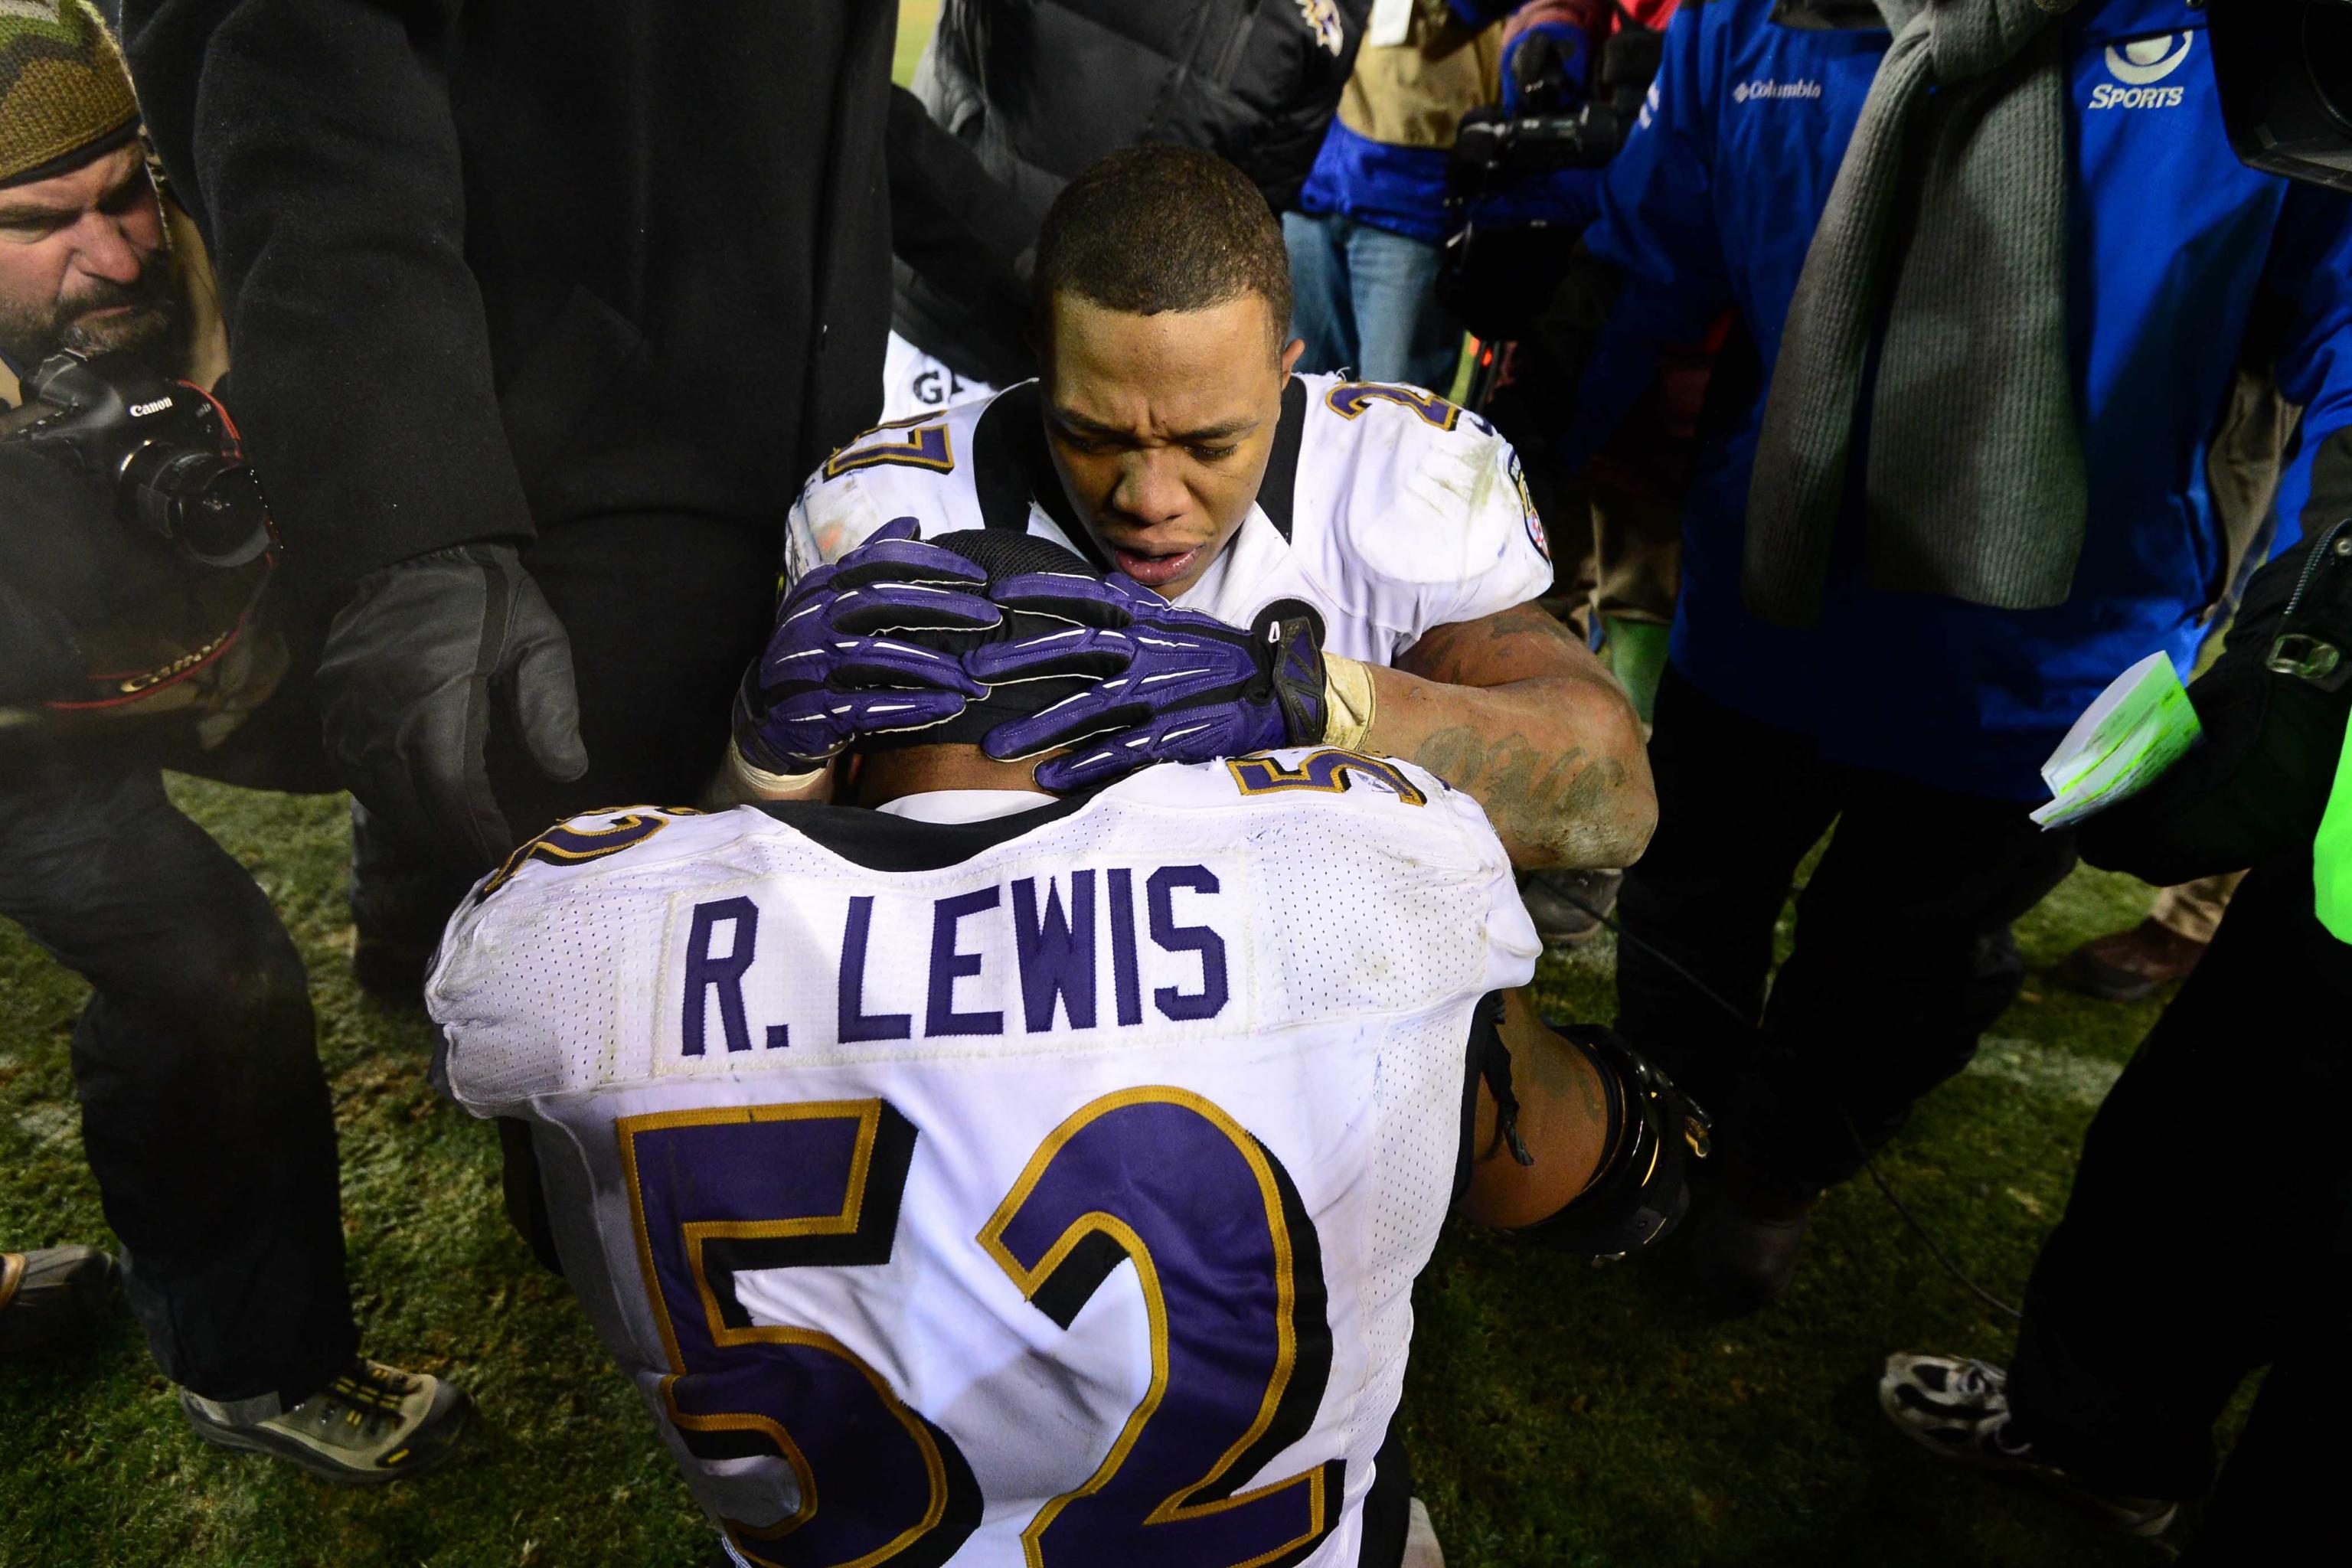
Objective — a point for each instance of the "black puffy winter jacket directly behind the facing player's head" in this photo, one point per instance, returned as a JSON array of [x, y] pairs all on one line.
[[1043, 88]]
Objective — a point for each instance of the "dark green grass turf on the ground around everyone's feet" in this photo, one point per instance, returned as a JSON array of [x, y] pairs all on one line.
[[1558, 1414]]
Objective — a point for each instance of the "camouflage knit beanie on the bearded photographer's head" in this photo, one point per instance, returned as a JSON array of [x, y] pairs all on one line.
[[65, 95]]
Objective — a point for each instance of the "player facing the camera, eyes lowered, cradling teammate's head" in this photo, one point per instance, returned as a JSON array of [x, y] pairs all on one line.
[[1170, 443]]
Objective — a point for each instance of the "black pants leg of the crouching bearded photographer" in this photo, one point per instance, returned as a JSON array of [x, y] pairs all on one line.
[[203, 1106]]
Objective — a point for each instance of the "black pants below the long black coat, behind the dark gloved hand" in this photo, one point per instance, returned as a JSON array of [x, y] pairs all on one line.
[[664, 615]]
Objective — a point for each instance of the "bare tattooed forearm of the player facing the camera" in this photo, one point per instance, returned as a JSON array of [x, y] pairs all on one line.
[[1516, 711]]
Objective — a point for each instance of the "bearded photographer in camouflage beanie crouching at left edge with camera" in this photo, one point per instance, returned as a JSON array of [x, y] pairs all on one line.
[[135, 551]]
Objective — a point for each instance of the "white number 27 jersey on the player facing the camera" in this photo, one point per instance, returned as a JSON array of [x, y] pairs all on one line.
[[1384, 507]]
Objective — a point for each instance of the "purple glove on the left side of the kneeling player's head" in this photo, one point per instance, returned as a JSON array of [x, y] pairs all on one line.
[[831, 674]]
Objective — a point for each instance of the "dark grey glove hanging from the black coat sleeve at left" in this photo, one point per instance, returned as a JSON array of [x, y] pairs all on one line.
[[417, 669]]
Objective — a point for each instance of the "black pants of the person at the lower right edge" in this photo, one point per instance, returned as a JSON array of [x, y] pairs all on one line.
[[2210, 1233]]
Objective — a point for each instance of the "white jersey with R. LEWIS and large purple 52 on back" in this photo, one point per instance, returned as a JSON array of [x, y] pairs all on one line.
[[980, 1181]]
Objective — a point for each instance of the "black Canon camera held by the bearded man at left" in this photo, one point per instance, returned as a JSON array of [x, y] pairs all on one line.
[[166, 448]]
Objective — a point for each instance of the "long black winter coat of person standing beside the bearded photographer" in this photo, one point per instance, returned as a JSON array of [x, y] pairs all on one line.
[[490, 262]]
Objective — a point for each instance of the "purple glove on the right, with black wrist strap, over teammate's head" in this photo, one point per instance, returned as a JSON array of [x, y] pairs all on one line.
[[1172, 685]]
